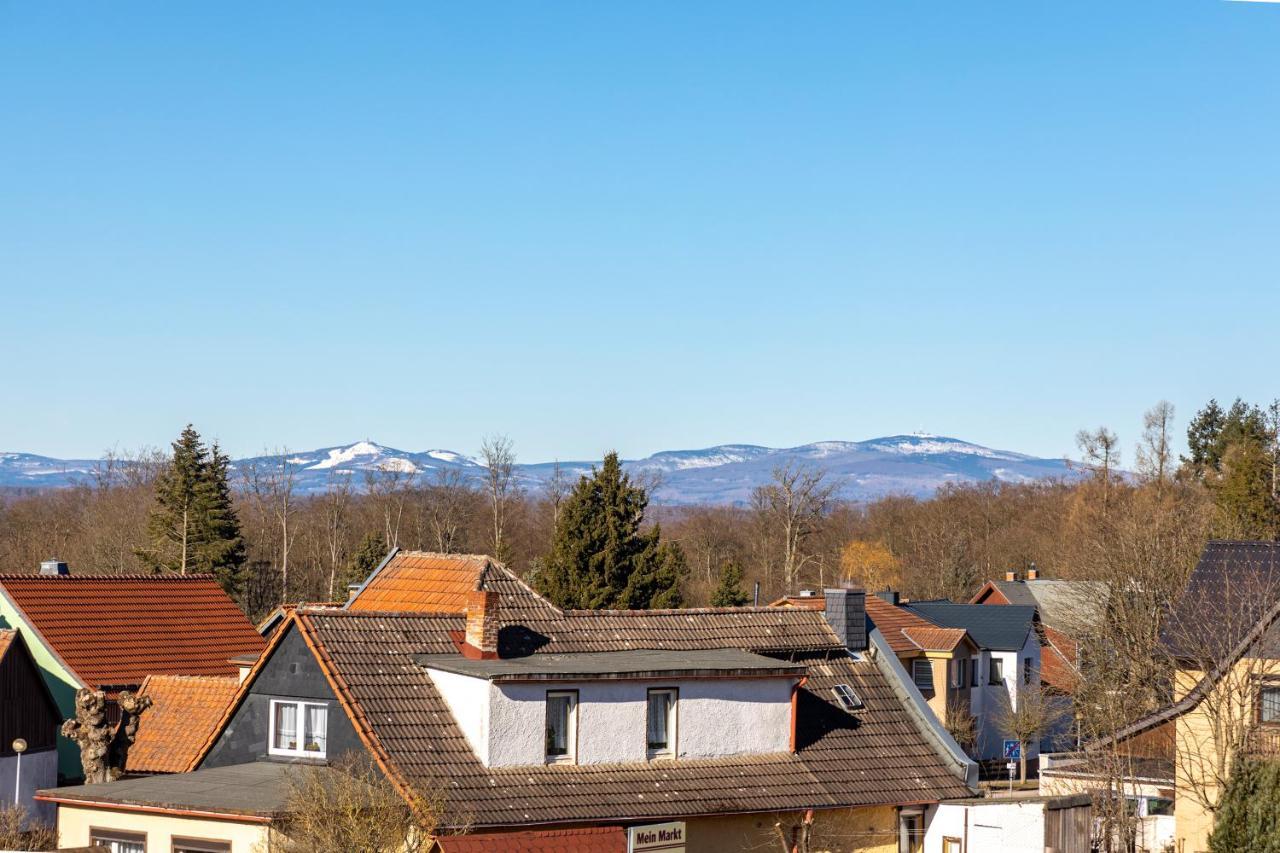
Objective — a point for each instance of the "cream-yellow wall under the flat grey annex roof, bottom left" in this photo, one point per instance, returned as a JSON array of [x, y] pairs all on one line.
[[75, 824]]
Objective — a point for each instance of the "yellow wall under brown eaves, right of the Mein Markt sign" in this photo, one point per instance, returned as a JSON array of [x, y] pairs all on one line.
[[852, 831]]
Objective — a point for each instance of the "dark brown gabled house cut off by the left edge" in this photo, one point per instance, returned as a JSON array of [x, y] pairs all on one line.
[[29, 728]]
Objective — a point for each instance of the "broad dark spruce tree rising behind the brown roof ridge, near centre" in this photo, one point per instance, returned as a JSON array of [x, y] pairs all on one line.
[[602, 558]]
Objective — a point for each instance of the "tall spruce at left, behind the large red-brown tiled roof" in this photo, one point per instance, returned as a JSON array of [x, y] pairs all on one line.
[[194, 527]]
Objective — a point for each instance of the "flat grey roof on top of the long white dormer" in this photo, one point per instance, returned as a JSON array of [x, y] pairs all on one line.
[[721, 663]]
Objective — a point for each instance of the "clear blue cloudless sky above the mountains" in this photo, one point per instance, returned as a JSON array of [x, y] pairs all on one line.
[[639, 226]]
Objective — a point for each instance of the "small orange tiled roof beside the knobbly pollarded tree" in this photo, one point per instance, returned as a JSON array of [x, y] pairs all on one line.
[[185, 709]]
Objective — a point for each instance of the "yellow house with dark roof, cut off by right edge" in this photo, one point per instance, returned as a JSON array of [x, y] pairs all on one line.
[[1224, 641]]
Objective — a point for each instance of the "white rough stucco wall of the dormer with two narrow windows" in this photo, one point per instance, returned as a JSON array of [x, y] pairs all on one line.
[[715, 718]]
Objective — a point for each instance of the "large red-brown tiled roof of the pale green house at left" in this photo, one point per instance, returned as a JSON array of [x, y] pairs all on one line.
[[115, 631]]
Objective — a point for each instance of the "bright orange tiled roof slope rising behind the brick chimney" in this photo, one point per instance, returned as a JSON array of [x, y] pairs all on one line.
[[417, 582]]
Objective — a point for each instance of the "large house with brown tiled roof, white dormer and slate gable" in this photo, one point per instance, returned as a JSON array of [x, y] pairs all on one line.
[[711, 724]]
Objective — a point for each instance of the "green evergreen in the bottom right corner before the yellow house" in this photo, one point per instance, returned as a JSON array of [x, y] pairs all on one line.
[[1249, 815]]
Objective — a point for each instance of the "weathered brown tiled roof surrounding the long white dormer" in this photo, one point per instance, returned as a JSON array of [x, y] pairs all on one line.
[[875, 756]]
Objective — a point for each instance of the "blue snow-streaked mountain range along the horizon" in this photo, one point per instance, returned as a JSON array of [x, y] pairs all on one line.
[[726, 475]]
